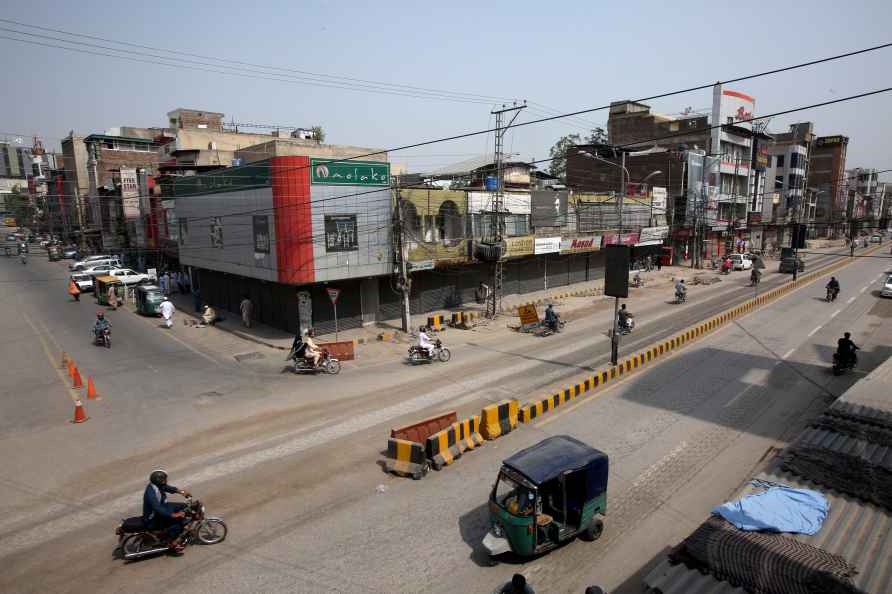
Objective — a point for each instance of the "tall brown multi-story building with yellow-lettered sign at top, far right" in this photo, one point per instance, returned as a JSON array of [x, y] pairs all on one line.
[[826, 174]]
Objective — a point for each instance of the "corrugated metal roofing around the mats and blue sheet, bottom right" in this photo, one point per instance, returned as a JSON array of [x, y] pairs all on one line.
[[858, 531]]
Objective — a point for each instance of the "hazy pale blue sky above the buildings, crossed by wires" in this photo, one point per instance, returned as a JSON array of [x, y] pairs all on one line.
[[558, 56]]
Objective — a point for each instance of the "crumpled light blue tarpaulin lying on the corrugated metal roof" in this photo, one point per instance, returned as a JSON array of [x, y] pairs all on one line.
[[778, 509]]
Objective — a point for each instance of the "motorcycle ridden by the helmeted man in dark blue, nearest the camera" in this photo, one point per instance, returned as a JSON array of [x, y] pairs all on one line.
[[135, 542]]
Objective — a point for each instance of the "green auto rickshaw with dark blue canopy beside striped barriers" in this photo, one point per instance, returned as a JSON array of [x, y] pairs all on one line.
[[546, 495]]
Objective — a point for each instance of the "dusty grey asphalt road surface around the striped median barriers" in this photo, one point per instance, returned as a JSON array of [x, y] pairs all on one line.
[[309, 509]]
